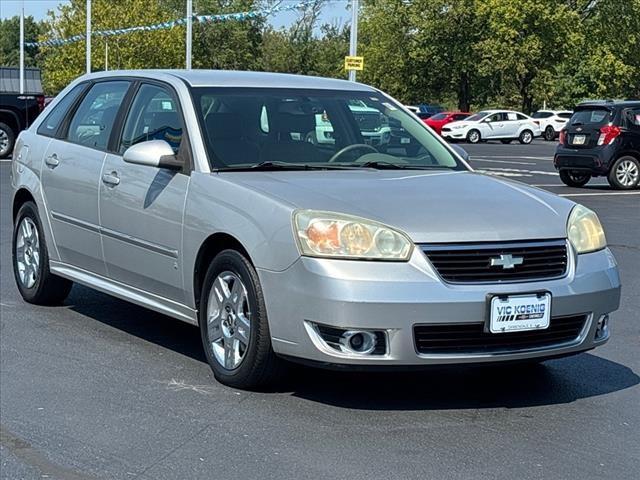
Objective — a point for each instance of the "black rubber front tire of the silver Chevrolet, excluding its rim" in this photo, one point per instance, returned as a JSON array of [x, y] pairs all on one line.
[[246, 374]]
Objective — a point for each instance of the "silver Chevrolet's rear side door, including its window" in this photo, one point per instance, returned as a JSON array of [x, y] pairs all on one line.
[[71, 174]]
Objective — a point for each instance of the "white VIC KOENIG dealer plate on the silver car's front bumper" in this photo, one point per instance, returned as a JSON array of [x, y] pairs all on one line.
[[517, 313]]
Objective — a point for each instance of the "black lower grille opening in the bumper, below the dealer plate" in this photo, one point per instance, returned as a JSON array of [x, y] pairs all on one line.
[[471, 338]]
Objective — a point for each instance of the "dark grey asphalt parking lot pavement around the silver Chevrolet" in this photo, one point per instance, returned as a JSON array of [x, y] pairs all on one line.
[[101, 389]]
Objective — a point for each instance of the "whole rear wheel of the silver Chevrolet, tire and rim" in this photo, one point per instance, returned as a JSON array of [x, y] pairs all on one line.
[[35, 281]]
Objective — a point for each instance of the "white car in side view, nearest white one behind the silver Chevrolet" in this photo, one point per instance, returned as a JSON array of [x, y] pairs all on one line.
[[503, 125]]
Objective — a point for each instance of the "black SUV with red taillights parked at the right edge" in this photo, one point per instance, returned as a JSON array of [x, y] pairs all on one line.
[[601, 139]]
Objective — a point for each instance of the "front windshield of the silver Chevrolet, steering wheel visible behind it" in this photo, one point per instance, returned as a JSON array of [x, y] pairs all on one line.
[[253, 128]]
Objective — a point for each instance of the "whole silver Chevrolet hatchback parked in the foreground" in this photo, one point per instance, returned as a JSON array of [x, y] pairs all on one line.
[[198, 194]]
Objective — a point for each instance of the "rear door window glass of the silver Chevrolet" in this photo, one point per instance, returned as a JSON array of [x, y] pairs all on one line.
[[92, 123]]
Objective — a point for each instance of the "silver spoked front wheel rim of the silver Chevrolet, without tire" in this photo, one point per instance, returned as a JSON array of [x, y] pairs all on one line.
[[228, 320]]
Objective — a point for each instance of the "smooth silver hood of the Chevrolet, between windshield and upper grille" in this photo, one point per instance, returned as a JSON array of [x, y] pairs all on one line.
[[438, 206]]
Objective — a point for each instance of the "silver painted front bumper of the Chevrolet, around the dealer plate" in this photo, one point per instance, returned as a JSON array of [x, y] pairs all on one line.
[[394, 297]]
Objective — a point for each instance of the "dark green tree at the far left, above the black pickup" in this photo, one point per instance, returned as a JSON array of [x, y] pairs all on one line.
[[10, 41]]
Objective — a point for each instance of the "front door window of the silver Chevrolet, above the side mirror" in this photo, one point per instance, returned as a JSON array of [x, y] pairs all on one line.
[[154, 115]]
